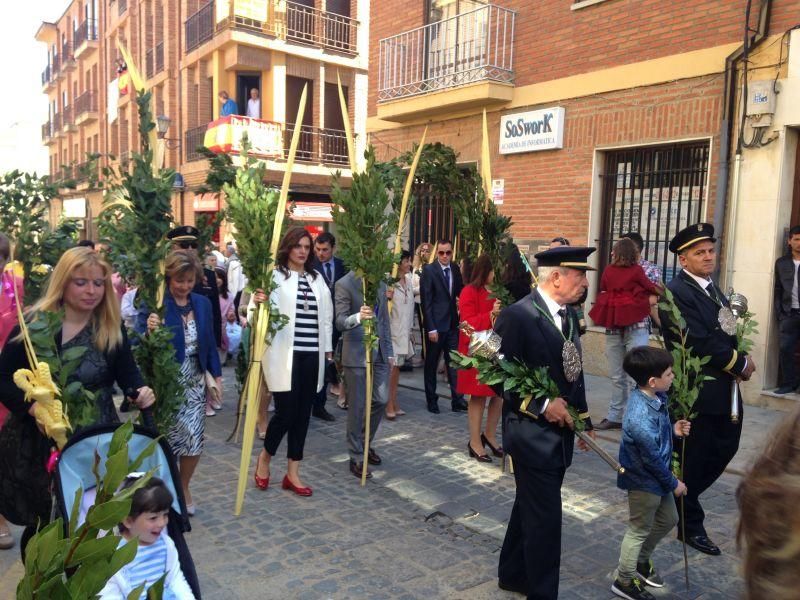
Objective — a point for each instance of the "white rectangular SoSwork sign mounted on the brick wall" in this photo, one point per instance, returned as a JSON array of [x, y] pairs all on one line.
[[534, 130]]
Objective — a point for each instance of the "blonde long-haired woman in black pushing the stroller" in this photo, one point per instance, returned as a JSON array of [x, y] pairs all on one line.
[[80, 286]]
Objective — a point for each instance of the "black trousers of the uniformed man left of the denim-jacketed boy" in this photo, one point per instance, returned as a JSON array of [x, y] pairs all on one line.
[[531, 555]]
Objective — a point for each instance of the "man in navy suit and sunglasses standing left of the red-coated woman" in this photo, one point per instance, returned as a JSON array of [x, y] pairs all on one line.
[[440, 286]]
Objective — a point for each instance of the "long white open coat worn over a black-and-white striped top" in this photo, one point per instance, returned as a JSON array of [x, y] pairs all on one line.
[[276, 362]]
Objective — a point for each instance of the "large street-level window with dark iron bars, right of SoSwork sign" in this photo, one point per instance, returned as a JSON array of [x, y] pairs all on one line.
[[656, 191]]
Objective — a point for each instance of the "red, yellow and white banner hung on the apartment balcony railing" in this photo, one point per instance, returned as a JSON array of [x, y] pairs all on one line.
[[225, 135]]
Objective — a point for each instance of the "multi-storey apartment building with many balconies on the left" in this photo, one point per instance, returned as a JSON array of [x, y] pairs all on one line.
[[189, 51]]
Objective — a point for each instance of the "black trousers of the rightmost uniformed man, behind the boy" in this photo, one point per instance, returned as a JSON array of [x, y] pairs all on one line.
[[710, 447]]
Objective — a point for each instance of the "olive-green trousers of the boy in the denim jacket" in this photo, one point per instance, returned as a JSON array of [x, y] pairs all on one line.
[[651, 518]]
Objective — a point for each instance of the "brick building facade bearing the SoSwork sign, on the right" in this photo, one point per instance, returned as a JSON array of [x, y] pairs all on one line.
[[646, 104]]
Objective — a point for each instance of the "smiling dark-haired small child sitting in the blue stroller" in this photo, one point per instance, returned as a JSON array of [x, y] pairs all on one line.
[[157, 554]]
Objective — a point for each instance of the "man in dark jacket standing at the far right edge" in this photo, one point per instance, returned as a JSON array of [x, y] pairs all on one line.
[[787, 311]]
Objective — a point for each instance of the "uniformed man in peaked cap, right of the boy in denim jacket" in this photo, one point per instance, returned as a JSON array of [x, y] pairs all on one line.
[[715, 438]]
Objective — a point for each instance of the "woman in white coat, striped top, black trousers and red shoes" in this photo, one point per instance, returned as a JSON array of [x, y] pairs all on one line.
[[294, 361]]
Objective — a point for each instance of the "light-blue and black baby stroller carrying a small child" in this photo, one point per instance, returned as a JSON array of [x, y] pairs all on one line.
[[74, 471]]
